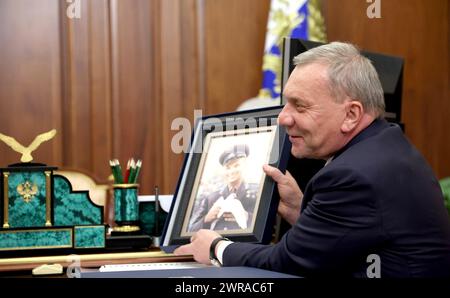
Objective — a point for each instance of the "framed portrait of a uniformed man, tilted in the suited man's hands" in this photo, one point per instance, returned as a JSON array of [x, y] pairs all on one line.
[[222, 185]]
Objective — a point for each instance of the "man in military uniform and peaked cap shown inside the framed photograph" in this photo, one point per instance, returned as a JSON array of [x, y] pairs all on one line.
[[230, 207]]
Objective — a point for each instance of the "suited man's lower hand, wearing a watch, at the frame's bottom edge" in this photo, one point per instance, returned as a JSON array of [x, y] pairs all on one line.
[[199, 246]]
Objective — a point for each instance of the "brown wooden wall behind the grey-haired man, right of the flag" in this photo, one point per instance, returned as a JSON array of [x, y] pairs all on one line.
[[417, 31]]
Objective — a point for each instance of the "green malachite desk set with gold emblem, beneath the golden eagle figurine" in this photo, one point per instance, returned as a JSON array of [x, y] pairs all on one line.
[[40, 211]]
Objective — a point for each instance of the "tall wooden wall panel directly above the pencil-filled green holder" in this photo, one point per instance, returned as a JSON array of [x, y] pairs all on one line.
[[133, 88]]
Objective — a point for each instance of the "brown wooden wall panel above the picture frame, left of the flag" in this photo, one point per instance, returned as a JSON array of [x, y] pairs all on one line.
[[234, 45]]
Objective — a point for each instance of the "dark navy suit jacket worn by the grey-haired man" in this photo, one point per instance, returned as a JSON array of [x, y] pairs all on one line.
[[377, 196]]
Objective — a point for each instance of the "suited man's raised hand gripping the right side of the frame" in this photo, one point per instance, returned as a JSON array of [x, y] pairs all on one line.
[[290, 194]]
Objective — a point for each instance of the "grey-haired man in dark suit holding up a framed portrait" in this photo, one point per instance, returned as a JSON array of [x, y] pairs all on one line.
[[375, 208]]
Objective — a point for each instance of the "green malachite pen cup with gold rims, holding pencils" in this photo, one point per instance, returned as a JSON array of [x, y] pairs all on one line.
[[126, 207]]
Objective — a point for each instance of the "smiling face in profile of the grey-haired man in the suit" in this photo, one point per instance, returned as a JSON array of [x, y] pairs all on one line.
[[311, 116]]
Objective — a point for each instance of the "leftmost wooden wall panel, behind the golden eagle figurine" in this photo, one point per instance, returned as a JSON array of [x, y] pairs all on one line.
[[30, 84]]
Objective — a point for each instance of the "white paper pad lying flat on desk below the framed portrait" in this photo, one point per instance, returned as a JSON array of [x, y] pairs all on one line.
[[151, 266]]
